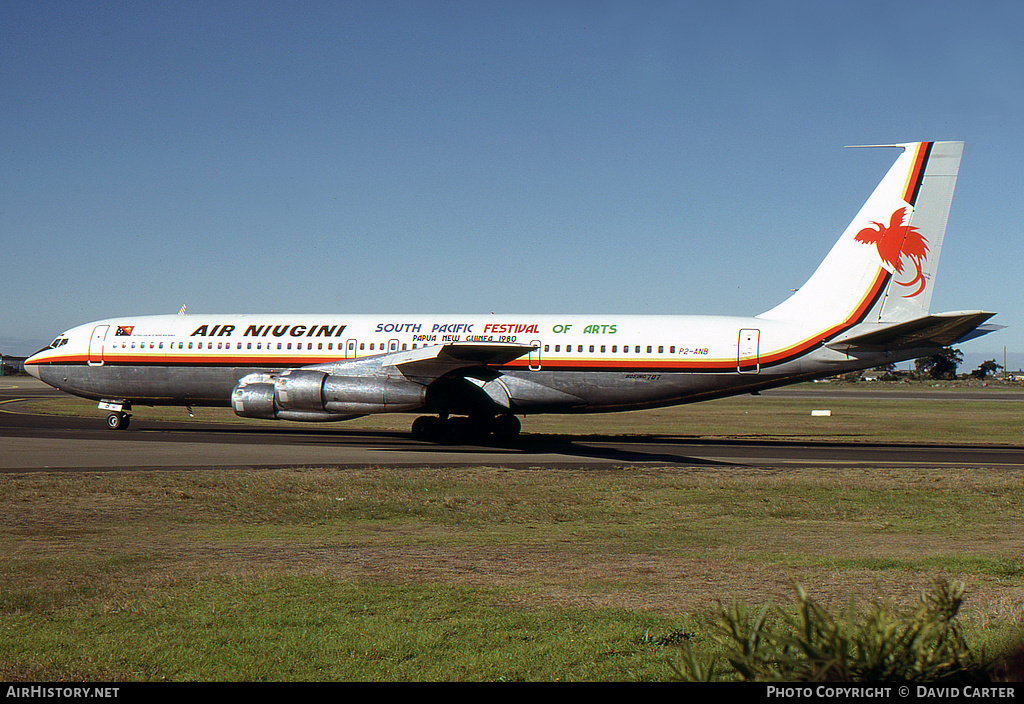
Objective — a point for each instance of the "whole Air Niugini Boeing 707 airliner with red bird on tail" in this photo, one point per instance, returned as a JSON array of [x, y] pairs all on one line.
[[867, 305]]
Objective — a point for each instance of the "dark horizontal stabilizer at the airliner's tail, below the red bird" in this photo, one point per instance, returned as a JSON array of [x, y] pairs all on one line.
[[941, 330]]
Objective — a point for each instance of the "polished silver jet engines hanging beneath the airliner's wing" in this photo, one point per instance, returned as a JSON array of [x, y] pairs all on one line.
[[316, 395]]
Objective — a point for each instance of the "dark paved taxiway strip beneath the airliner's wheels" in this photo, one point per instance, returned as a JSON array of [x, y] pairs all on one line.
[[35, 443]]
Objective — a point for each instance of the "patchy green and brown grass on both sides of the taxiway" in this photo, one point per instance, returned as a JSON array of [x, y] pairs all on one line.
[[490, 574]]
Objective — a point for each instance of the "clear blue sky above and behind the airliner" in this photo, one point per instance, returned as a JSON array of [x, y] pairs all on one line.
[[479, 157]]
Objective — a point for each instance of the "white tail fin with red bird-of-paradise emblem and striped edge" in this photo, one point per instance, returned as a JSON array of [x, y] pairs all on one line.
[[883, 269]]
